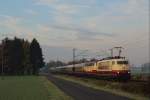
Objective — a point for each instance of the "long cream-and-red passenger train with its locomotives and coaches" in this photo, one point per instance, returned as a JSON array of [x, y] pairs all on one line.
[[111, 67]]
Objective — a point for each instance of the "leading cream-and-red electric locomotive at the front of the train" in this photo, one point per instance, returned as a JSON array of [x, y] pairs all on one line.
[[114, 68]]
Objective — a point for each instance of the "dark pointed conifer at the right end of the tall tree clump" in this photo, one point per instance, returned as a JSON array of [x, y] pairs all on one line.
[[36, 56]]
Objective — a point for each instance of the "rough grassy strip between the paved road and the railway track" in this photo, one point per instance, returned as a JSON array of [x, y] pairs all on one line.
[[128, 89]]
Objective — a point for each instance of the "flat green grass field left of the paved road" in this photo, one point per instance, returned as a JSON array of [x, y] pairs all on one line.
[[29, 88]]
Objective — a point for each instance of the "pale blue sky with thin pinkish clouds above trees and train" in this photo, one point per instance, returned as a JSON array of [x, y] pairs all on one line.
[[96, 25]]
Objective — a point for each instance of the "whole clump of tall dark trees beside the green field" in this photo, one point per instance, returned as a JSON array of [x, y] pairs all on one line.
[[20, 57]]
